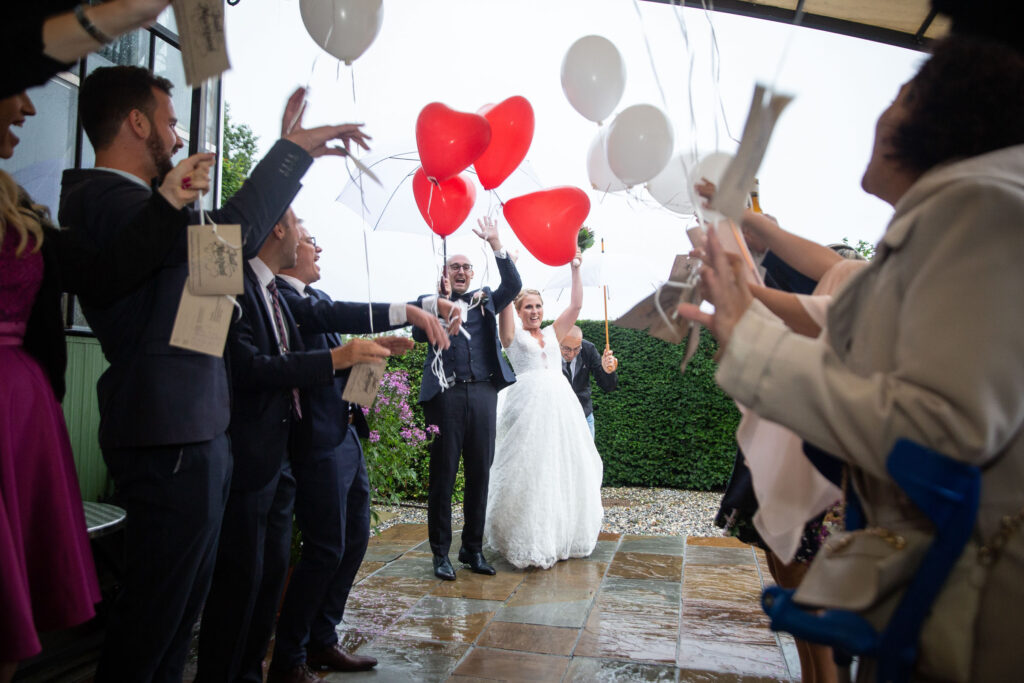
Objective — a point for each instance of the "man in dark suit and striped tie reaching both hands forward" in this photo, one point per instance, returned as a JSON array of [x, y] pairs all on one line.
[[272, 375]]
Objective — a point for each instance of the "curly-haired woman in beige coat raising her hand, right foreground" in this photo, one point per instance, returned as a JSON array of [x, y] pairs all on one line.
[[928, 343]]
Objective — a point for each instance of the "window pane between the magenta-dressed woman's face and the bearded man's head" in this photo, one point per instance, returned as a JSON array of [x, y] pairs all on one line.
[[48, 143]]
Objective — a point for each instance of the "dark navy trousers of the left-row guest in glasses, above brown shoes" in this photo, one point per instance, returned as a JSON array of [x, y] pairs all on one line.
[[332, 509]]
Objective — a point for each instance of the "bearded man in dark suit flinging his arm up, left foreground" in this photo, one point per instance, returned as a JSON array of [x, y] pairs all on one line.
[[164, 411]]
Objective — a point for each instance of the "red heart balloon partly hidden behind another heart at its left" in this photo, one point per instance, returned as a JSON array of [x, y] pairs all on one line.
[[511, 133]]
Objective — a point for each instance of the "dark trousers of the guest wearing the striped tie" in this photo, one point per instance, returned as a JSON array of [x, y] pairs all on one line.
[[252, 565]]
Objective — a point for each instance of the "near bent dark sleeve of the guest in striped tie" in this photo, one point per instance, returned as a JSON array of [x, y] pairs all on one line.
[[252, 369]]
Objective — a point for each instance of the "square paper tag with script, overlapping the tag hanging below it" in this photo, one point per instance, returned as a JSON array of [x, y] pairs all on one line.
[[216, 260]]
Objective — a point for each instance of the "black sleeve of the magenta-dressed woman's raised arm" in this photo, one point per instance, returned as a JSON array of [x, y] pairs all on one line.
[[102, 276]]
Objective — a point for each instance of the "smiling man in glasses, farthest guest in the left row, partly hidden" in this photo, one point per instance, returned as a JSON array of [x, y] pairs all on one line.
[[332, 504]]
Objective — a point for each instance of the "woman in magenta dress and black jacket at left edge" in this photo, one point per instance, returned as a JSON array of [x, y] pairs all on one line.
[[48, 576]]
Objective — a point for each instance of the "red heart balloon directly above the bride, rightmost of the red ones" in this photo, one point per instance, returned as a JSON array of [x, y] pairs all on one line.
[[547, 223]]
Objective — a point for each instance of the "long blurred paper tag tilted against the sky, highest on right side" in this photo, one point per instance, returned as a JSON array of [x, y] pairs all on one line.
[[731, 196]]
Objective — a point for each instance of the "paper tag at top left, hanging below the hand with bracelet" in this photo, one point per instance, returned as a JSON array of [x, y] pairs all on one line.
[[201, 30]]
